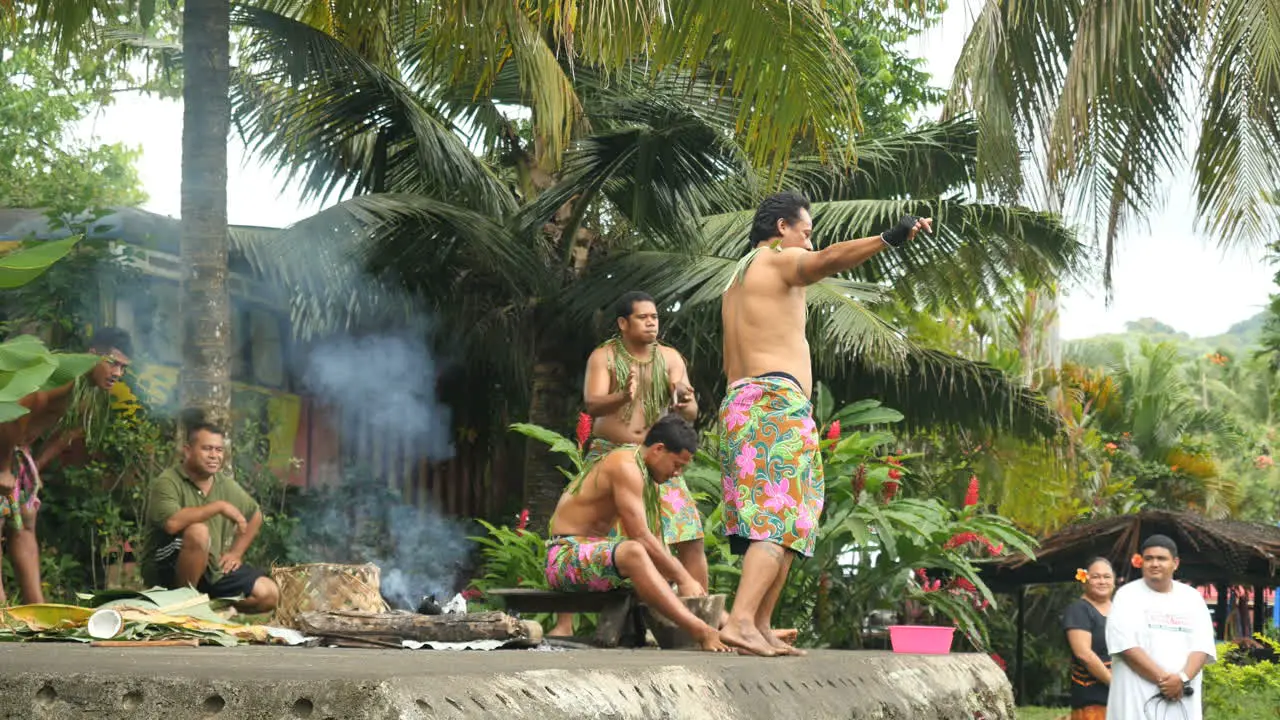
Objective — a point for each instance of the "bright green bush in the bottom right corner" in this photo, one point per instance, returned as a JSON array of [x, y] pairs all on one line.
[[1240, 687]]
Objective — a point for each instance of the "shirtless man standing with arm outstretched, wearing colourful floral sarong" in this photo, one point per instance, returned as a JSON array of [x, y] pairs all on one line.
[[770, 463]]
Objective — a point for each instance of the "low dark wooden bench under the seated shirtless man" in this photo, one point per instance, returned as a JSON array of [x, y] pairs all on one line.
[[621, 616]]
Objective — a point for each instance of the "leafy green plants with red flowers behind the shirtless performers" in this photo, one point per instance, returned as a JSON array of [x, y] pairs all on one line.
[[871, 549]]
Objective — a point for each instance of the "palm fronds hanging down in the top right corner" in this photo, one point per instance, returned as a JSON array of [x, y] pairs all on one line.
[[1109, 95]]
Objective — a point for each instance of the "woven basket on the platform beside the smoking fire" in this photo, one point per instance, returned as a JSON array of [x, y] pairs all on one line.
[[324, 587]]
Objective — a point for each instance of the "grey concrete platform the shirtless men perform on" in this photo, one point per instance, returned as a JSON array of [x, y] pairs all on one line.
[[45, 681]]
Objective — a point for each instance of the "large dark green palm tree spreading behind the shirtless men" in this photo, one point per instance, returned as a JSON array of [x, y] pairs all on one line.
[[656, 195]]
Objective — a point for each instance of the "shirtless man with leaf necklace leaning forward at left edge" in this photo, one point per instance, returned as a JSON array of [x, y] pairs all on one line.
[[71, 412]]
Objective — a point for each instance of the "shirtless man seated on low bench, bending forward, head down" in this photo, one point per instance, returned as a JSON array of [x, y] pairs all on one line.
[[624, 487]]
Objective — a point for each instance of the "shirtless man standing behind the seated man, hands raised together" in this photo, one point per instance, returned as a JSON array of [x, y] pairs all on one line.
[[632, 381]]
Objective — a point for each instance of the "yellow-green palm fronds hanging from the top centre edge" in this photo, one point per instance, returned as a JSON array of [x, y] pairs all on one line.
[[775, 54]]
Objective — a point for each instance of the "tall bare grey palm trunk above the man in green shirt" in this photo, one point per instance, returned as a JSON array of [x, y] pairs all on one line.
[[205, 306]]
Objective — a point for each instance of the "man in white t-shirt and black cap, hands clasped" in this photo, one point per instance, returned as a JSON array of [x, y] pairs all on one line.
[[1160, 635]]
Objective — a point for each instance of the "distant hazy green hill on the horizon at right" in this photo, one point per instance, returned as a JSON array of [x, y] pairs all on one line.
[[1242, 339]]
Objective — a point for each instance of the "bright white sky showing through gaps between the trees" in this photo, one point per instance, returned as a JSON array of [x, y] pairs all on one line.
[[1165, 271]]
